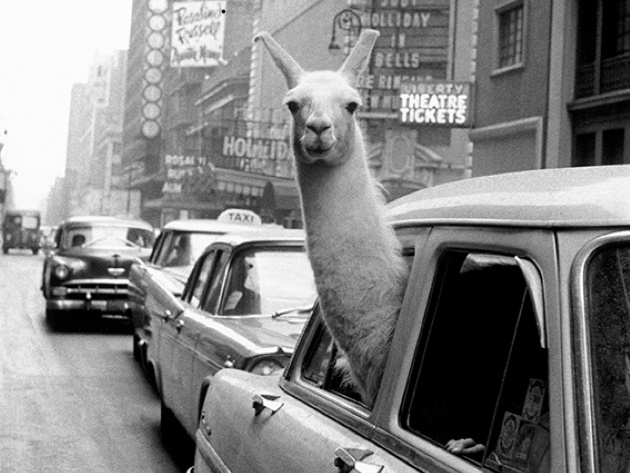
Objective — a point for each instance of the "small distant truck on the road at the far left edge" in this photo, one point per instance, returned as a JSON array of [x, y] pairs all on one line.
[[21, 229]]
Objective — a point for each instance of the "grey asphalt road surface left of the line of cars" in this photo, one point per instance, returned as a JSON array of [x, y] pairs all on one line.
[[72, 400]]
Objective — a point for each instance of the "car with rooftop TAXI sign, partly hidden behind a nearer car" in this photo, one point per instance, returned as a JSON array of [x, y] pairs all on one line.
[[177, 248]]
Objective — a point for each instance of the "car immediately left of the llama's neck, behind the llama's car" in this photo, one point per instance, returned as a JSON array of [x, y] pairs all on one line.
[[243, 306]]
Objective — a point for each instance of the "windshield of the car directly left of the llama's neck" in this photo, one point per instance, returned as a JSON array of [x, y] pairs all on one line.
[[269, 280]]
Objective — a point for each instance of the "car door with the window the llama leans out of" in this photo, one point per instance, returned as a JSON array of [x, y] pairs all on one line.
[[312, 423]]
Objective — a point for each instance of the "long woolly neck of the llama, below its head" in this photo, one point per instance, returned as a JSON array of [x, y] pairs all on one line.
[[356, 260]]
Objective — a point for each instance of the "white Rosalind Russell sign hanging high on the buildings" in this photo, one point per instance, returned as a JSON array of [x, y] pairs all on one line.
[[197, 33]]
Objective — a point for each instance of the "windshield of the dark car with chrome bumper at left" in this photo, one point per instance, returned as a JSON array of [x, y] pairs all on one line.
[[104, 236]]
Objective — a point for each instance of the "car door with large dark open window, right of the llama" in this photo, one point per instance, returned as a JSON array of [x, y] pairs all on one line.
[[476, 384]]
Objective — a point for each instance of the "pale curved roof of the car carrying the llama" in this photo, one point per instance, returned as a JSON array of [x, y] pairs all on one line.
[[565, 197]]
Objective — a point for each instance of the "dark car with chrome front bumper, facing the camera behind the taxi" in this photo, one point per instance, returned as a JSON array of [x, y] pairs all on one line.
[[86, 272]]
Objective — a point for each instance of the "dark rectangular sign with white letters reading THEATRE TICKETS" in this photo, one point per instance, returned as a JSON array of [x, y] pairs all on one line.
[[442, 104]]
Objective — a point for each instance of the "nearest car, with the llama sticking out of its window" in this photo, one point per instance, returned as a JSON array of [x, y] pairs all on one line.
[[513, 333]]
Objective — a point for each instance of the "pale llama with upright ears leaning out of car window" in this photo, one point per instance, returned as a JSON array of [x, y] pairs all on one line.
[[359, 271]]
